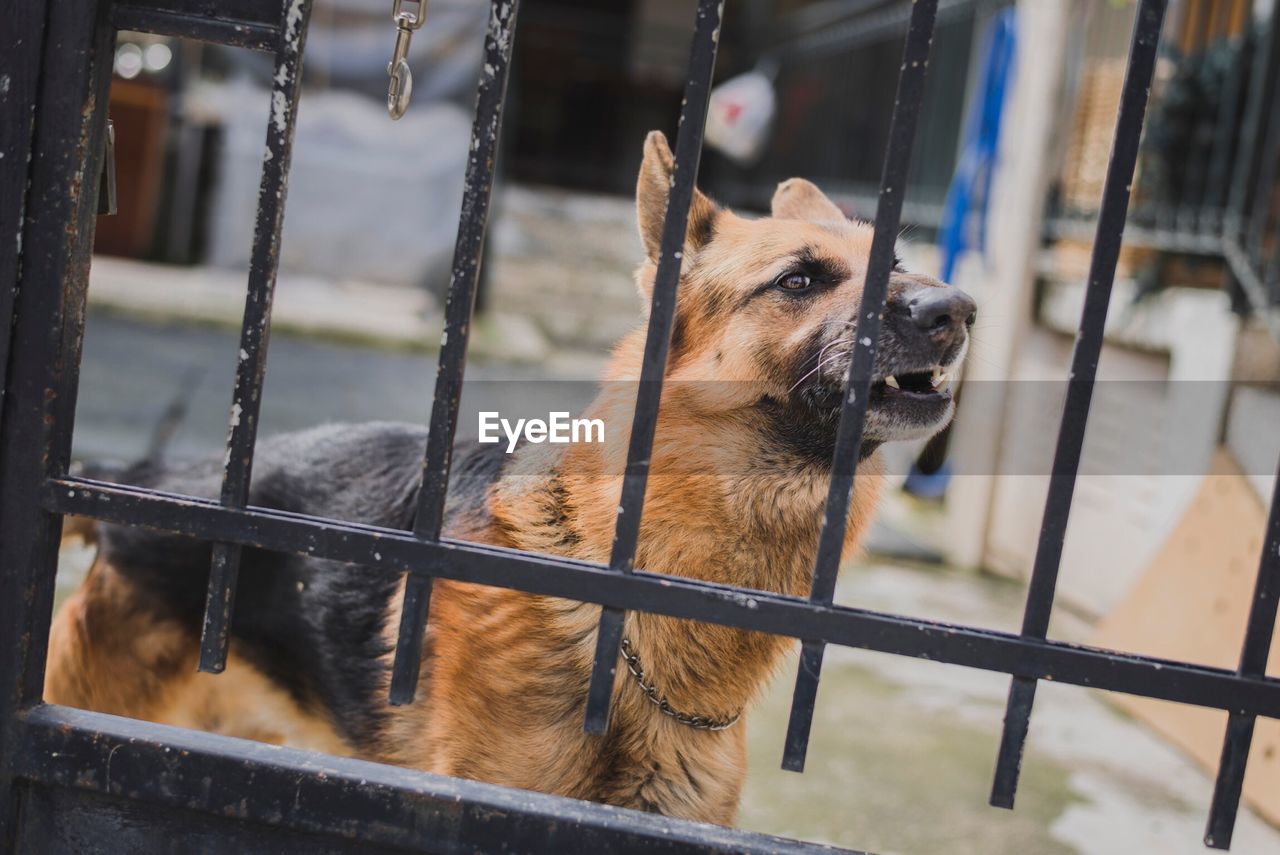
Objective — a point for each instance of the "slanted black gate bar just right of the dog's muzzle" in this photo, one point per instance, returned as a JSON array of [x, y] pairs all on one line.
[[1080, 386]]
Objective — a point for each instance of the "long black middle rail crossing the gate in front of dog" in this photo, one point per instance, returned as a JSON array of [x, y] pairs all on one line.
[[392, 551]]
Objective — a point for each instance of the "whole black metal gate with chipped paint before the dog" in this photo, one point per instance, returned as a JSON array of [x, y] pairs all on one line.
[[80, 781]]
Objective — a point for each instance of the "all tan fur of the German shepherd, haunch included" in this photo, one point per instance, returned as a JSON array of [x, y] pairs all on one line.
[[505, 674]]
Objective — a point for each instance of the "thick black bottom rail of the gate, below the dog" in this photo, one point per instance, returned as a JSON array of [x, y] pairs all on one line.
[[377, 804]]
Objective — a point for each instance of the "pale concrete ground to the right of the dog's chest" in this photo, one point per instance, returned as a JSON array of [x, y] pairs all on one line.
[[903, 751]]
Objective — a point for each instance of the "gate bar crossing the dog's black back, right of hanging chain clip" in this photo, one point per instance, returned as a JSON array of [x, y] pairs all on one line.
[[473, 222]]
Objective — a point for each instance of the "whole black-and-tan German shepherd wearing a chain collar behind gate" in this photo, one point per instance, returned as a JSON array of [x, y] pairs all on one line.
[[739, 478]]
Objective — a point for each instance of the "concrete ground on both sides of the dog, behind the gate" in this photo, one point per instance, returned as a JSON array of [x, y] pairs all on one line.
[[903, 751]]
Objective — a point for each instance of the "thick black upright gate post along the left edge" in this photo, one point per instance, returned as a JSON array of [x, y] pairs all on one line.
[[52, 85]]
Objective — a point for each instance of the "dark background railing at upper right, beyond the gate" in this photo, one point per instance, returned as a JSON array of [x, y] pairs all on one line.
[[1209, 166]]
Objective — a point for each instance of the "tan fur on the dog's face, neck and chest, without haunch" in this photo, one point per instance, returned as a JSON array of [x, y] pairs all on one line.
[[513, 670]]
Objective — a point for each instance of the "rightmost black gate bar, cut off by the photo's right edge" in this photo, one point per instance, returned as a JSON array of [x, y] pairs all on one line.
[[1254, 664]]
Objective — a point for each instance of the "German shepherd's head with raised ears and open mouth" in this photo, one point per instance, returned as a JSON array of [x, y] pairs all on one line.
[[767, 309]]
